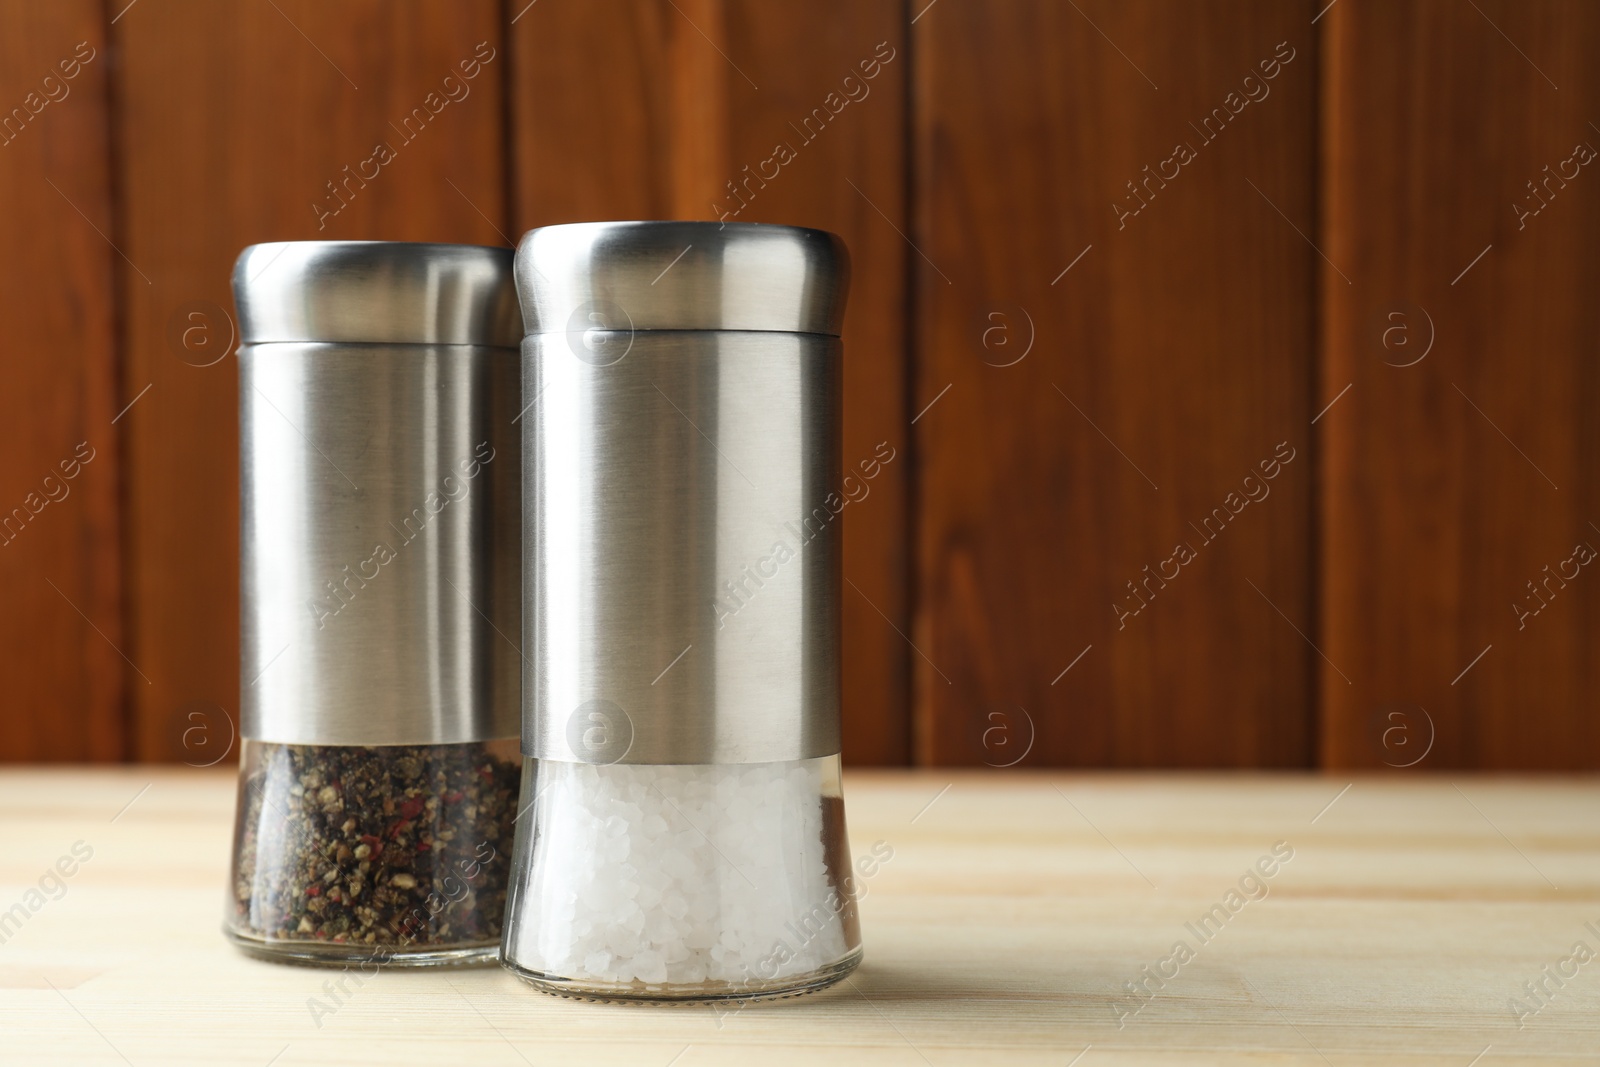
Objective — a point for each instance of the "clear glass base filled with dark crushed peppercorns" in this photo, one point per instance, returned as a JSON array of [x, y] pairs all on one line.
[[396, 855]]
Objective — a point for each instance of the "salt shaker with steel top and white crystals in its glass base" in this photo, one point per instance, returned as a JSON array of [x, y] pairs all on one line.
[[686, 831]]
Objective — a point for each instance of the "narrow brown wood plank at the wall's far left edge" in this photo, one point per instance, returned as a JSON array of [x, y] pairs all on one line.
[[62, 671]]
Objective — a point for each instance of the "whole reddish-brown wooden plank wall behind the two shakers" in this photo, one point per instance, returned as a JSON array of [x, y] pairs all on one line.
[[1134, 270]]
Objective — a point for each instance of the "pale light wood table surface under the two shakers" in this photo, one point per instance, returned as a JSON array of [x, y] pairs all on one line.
[[1002, 932]]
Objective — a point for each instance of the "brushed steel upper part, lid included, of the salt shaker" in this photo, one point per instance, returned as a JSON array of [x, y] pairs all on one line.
[[682, 494]]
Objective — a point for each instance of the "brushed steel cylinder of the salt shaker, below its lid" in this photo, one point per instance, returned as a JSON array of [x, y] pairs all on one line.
[[684, 561]]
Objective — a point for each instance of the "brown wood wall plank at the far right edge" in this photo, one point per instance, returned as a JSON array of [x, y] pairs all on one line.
[[1462, 481]]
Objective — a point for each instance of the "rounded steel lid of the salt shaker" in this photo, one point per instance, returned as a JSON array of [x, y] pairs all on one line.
[[682, 276]]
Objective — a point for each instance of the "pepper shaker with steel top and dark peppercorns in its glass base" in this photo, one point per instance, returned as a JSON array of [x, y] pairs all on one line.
[[380, 503]]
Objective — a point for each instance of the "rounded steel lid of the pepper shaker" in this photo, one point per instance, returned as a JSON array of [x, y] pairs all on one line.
[[377, 292]]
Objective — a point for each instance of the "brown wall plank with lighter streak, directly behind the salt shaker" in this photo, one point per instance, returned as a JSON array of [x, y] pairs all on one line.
[[697, 97]]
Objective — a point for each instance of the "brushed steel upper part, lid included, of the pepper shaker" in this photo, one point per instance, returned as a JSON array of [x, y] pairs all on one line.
[[380, 503]]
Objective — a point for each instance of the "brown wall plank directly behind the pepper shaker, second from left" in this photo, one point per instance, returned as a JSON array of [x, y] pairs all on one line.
[[233, 122]]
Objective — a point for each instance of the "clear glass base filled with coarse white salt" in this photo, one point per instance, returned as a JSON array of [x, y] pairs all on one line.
[[716, 882]]
